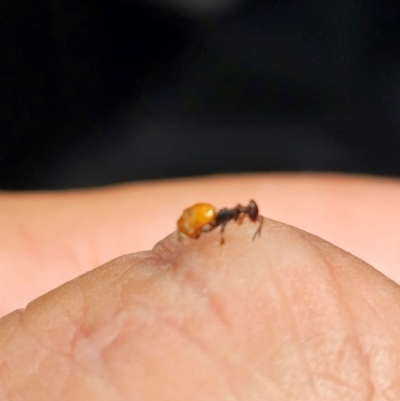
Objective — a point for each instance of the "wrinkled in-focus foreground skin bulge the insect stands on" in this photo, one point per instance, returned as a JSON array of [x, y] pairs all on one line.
[[286, 316]]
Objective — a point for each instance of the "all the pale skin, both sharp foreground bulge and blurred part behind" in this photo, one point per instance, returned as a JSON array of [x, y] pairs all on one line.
[[285, 317]]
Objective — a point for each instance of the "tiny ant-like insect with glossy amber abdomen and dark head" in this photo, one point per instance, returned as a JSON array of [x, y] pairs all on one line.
[[204, 217]]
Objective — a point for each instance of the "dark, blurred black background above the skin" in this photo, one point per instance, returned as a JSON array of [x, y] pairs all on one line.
[[99, 92]]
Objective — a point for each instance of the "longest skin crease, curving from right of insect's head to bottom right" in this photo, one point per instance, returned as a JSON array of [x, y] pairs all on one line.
[[344, 307]]
